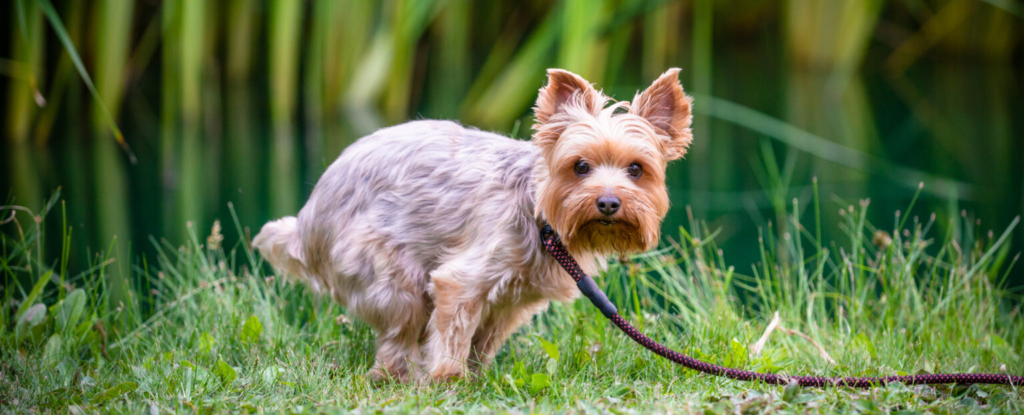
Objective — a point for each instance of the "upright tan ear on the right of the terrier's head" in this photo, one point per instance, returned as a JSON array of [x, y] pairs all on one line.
[[666, 107]]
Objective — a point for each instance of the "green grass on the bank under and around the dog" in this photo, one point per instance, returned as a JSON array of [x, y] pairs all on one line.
[[206, 329]]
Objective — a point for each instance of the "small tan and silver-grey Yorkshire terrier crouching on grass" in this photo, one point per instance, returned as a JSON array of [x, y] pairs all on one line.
[[430, 232]]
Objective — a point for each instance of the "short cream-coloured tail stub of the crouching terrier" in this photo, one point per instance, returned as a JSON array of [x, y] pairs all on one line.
[[281, 245]]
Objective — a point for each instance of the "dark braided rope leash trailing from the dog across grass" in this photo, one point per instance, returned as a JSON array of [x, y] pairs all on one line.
[[590, 289]]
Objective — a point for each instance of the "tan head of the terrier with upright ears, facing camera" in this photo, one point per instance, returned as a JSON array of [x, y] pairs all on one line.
[[604, 189]]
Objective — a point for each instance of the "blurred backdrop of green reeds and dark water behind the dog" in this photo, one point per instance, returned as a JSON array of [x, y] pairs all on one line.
[[247, 103]]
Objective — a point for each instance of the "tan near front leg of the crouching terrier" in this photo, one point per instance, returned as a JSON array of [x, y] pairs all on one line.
[[450, 333]]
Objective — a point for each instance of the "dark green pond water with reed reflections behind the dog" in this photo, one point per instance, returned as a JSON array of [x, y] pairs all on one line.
[[944, 121]]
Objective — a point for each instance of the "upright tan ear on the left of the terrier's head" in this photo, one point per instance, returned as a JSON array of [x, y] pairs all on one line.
[[566, 93]]
